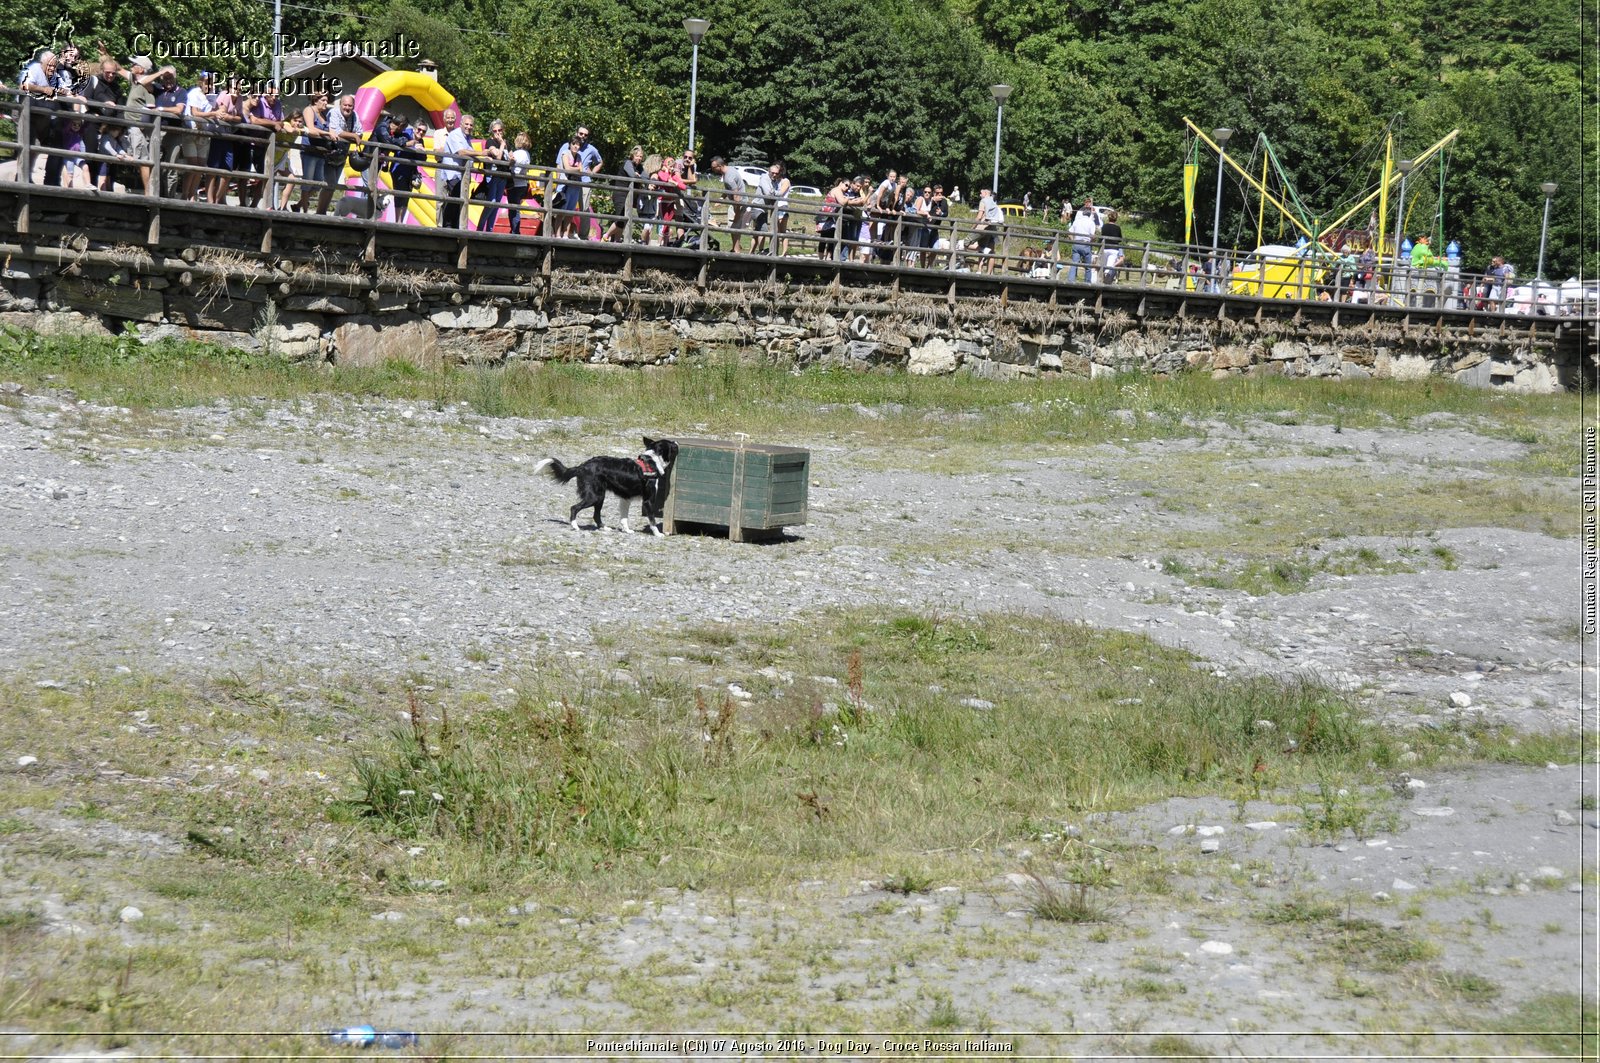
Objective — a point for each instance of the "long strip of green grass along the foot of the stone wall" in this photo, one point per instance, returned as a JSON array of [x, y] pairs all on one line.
[[729, 393]]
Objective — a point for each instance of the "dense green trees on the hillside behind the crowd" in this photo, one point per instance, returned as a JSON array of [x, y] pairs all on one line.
[[1102, 89]]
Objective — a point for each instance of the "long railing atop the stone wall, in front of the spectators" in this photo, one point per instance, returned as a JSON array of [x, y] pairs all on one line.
[[415, 185]]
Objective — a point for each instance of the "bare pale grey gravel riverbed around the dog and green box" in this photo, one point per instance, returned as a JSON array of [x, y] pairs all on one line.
[[375, 536]]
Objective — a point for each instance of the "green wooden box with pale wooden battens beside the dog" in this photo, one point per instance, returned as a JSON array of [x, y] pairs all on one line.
[[745, 487]]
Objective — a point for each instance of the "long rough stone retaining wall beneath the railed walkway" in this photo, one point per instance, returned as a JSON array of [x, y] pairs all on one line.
[[366, 319]]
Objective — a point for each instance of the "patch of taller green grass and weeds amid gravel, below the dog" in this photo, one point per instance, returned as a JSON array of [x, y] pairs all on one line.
[[668, 785]]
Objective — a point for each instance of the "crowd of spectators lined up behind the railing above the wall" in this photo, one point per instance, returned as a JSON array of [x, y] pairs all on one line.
[[100, 119]]
